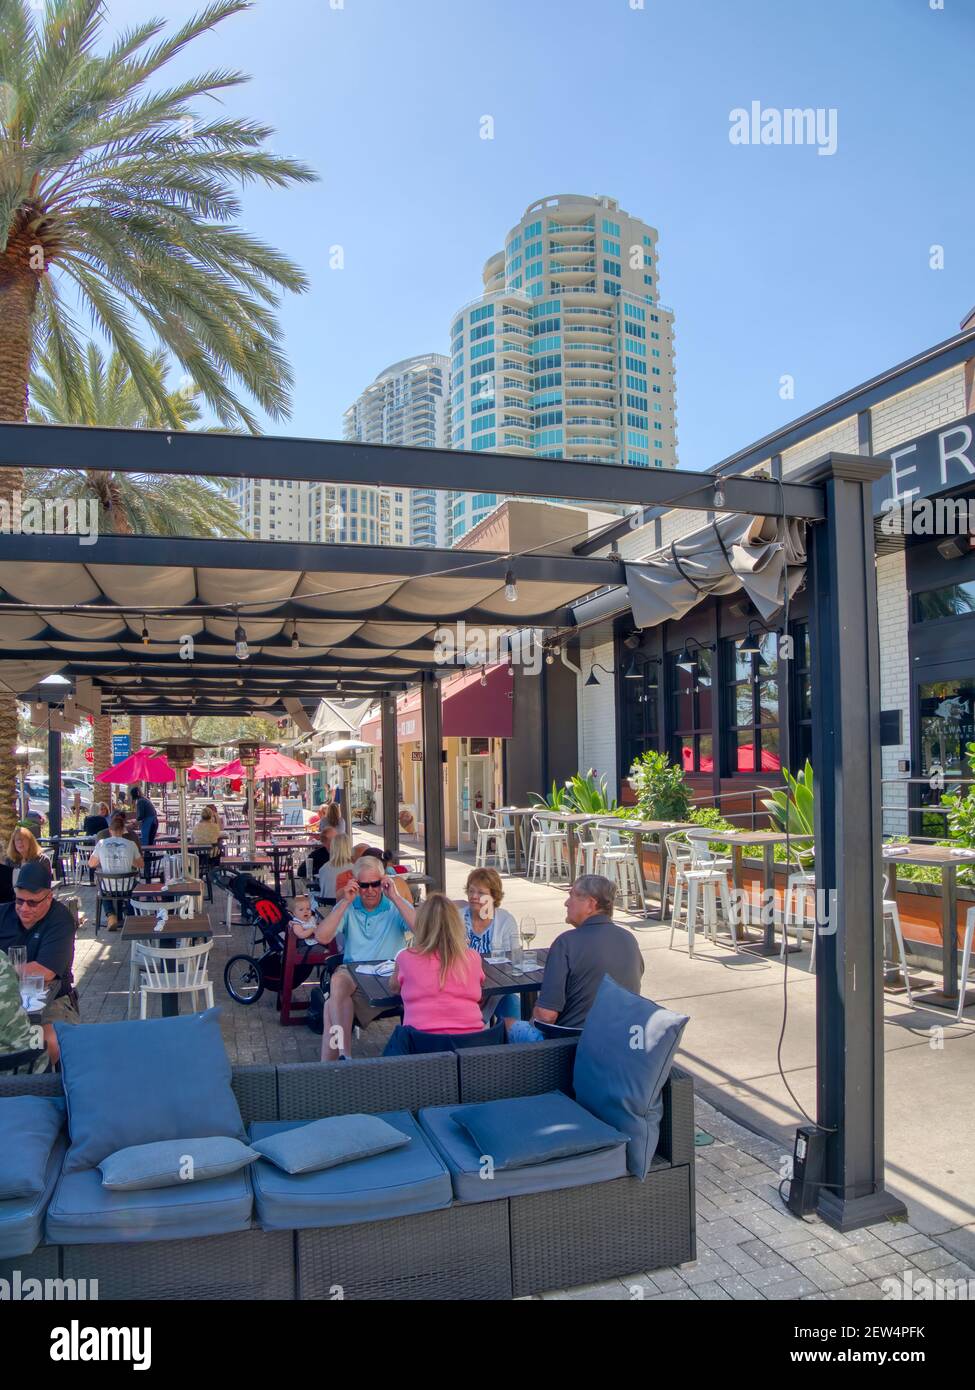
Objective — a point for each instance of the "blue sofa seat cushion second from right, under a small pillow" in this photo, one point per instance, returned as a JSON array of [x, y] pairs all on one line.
[[397, 1184]]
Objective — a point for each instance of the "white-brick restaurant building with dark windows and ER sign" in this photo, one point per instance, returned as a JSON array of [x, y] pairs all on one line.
[[735, 718]]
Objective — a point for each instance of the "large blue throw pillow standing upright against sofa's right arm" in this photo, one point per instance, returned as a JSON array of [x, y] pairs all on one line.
[[622, 1063]]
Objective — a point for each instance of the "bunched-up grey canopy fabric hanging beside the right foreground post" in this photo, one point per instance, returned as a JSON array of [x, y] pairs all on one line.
[[735, 553]]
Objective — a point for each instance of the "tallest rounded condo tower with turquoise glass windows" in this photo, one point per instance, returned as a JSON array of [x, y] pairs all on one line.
[[568, 352]]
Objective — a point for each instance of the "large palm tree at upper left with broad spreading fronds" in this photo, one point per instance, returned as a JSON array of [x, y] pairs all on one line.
[[116, 201]]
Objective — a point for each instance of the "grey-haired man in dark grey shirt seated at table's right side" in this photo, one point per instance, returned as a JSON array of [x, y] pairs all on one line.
[[579, 960]]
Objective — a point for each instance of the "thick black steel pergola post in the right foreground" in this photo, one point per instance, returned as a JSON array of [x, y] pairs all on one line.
[[846, 754]]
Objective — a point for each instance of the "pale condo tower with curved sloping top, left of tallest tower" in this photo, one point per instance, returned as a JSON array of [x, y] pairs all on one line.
[[408, 404]]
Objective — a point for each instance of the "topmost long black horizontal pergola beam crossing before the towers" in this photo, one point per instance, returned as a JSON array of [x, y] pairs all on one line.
[[333, 461]]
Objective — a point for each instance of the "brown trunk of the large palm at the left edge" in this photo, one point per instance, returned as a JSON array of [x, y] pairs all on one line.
[[19, 290]]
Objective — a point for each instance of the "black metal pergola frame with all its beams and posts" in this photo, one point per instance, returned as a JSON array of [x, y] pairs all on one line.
[[834, 494]]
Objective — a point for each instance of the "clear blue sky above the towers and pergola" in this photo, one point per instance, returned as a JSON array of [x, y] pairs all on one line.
[[777, 261]]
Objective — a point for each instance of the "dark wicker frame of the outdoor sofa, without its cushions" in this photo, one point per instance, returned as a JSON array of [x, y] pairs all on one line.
[[494, 1249]]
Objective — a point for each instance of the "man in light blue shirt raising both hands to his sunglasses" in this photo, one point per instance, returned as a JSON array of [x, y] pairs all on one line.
[[373, 921]]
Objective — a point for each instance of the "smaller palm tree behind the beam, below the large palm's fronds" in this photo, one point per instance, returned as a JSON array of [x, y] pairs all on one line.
[[129, 502]]
